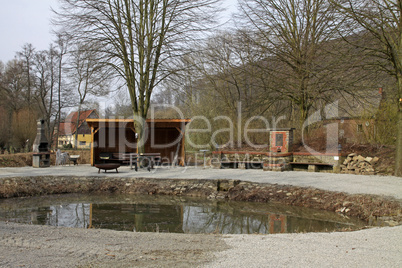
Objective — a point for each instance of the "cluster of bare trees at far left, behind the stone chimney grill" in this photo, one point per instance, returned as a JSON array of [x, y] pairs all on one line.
[[46, 84]]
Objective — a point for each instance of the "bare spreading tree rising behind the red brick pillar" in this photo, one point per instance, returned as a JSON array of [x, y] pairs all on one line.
[[300, 42]]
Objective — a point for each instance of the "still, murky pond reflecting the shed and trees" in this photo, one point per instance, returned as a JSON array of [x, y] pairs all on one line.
[[147, 213]]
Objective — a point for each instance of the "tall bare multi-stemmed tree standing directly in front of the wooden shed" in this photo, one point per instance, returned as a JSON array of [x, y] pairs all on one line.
[[138, 38]]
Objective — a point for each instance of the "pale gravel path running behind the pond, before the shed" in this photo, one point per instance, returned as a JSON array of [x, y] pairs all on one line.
[[353, 184]]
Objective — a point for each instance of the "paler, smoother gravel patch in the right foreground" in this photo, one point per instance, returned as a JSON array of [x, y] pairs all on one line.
[[379, 247]]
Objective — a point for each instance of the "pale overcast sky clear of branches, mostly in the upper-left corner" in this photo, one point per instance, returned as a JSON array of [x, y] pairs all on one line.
[[28, 21]]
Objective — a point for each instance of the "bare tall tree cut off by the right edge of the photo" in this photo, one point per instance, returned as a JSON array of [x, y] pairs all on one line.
[[382, 20]]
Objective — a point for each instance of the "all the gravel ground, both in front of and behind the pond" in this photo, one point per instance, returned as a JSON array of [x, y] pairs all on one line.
[[45, 246]]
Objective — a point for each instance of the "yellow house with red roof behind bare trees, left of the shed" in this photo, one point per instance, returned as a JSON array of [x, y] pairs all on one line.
[[68, 129]]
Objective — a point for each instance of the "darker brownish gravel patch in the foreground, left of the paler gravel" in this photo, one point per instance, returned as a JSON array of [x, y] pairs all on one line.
[[46, 246]]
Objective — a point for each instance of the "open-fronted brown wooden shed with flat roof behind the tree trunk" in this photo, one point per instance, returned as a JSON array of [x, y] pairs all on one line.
[[164, 136]]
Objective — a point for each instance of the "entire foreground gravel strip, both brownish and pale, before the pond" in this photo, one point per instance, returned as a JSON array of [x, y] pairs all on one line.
[[44, 246]]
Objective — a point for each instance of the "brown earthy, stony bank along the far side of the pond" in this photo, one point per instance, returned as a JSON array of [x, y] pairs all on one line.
[[375, 210]]
